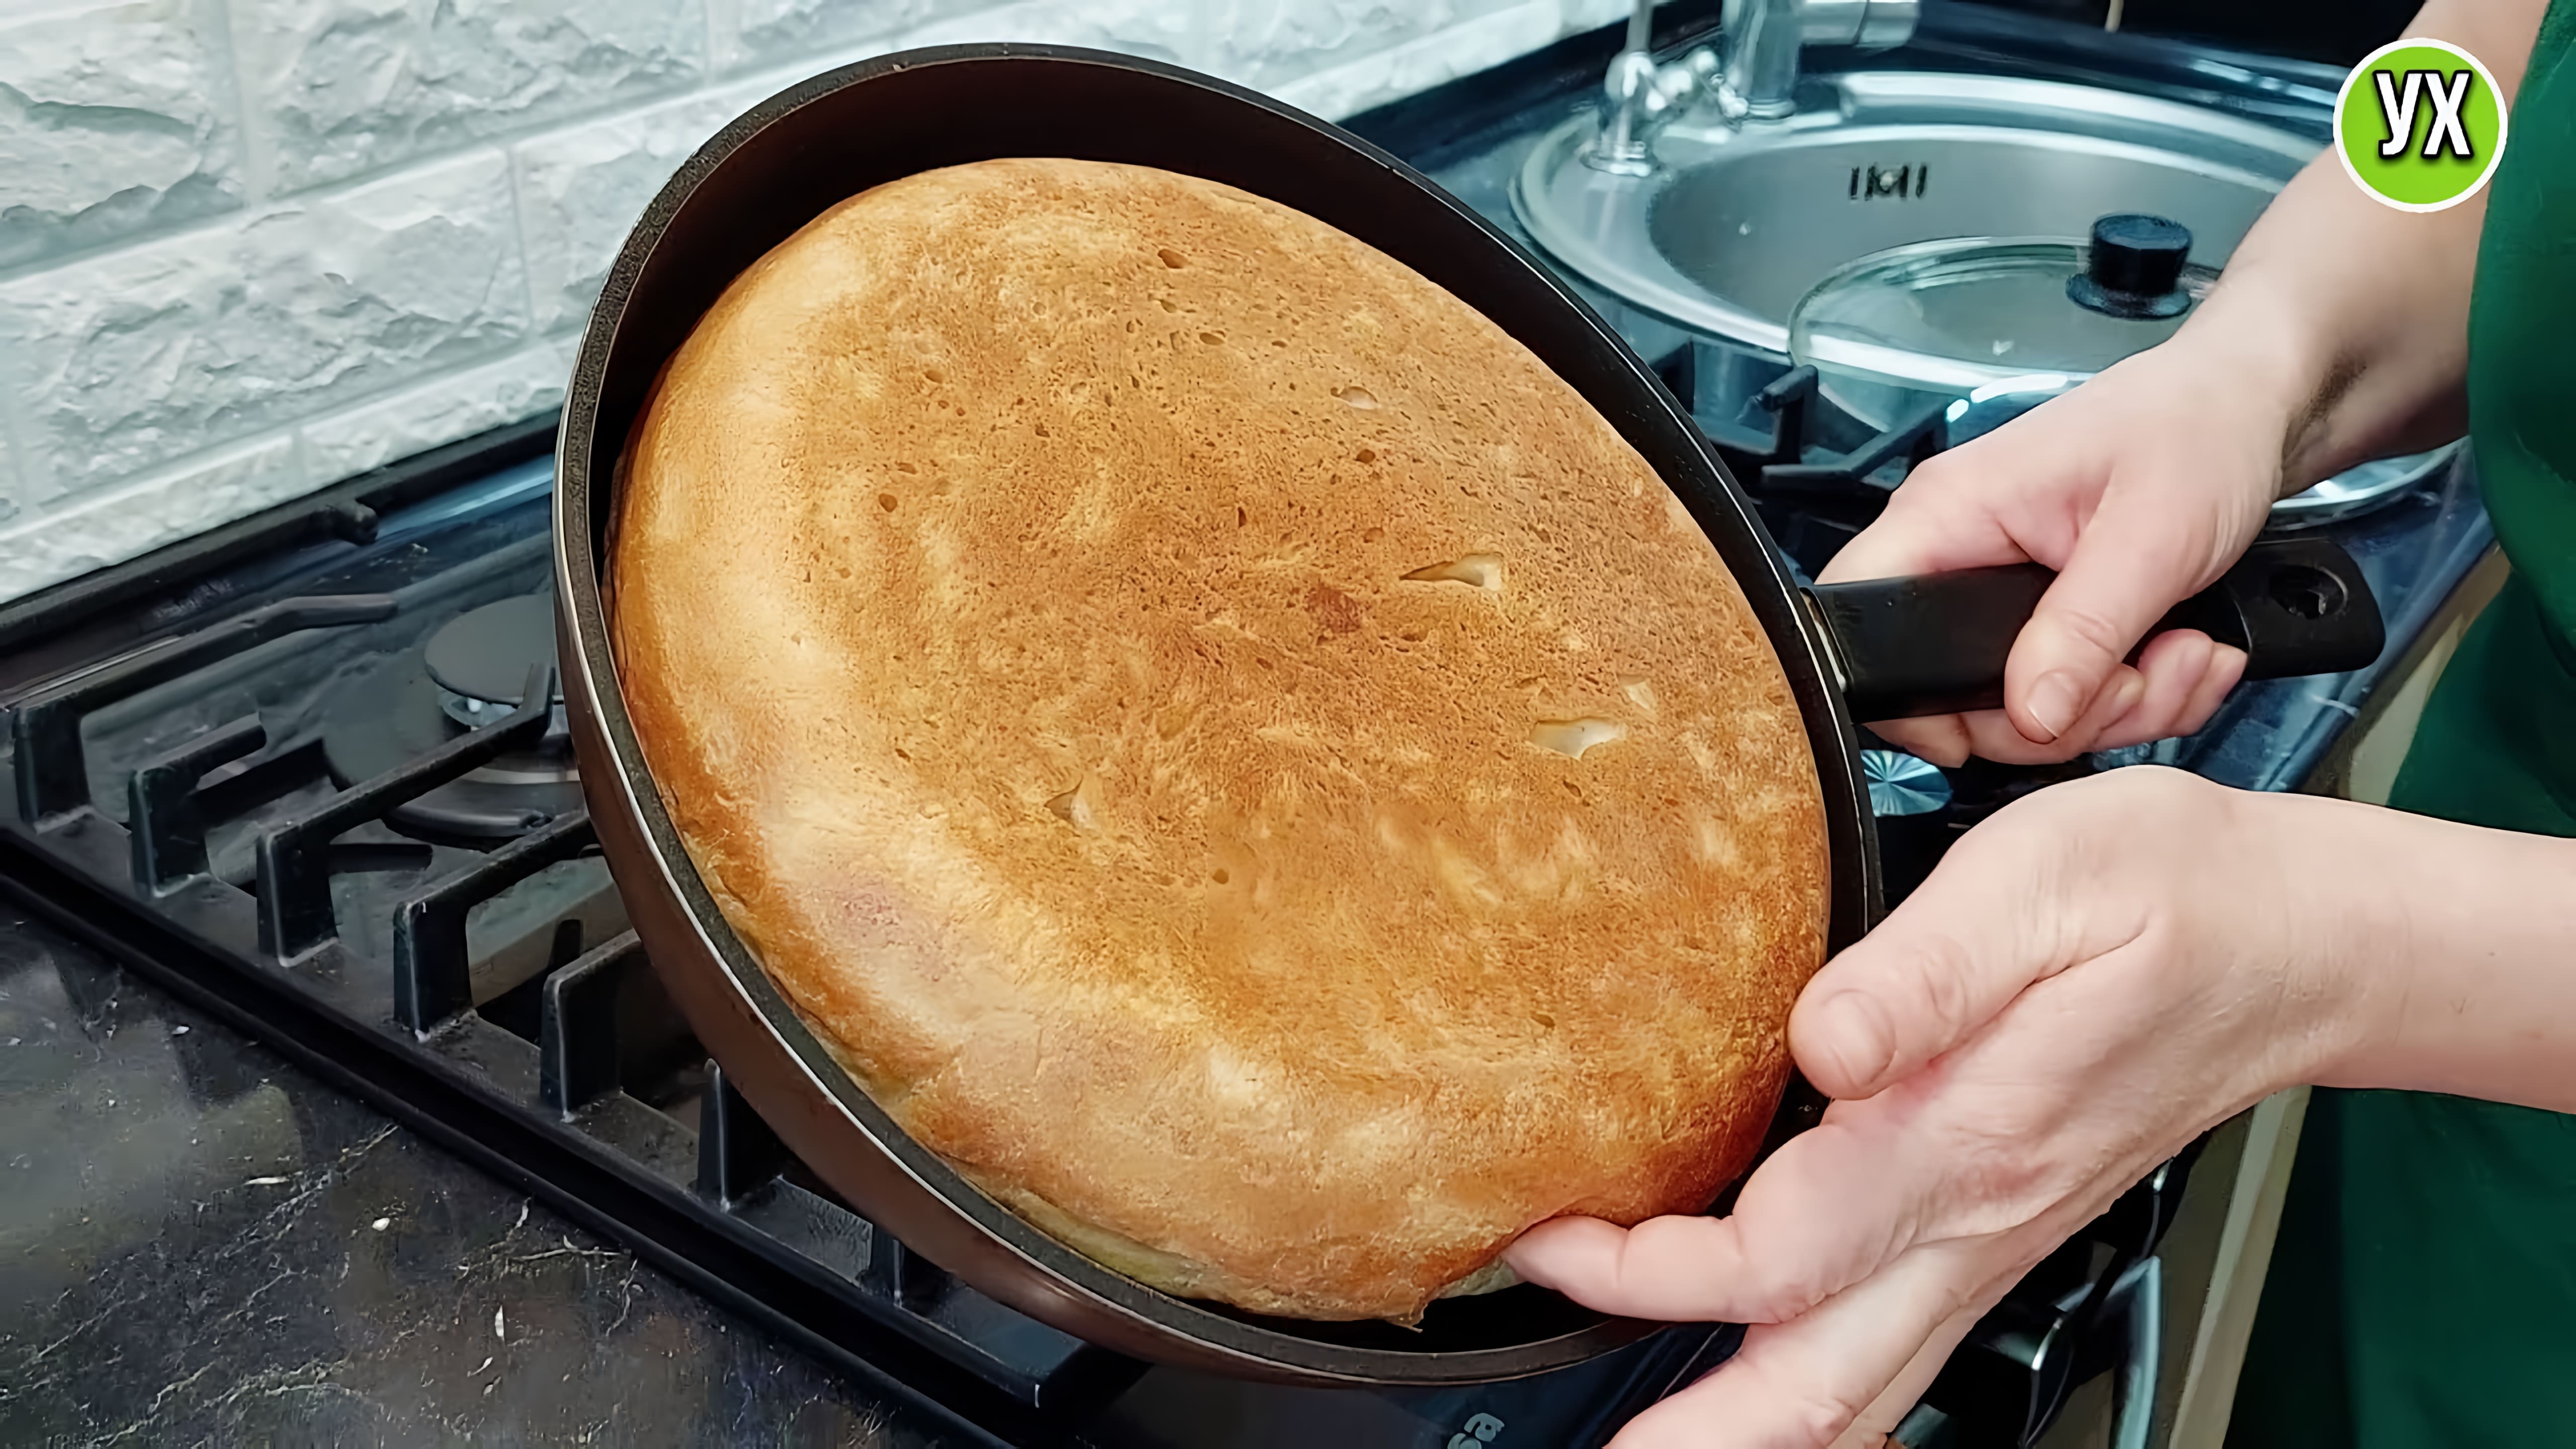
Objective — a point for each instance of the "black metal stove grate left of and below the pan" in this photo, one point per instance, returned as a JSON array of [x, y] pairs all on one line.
[[537, 1079]]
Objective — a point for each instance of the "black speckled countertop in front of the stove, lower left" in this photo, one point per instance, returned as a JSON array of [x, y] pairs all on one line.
[[202, 1244]]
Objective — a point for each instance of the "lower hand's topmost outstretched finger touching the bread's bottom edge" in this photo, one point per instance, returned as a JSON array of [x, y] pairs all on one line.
[[1828, 1211]]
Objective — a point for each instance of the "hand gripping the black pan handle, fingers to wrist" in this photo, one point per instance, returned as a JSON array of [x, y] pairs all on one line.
[[2139, 489]]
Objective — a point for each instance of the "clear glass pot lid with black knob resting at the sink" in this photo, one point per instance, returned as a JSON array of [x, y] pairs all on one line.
[[1967, 313]]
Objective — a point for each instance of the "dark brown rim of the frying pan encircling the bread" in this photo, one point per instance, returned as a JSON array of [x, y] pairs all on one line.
[[627, 793]]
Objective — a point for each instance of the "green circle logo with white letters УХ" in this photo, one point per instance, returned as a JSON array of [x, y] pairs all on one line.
[[2420, 125]]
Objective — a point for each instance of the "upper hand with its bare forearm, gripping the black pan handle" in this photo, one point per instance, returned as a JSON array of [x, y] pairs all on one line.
[[2338, 336]]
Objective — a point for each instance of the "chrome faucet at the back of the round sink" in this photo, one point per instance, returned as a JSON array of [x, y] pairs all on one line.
[[1753, 76]]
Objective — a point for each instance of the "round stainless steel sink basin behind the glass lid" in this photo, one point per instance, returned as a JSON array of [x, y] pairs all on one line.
[[1738, 223]]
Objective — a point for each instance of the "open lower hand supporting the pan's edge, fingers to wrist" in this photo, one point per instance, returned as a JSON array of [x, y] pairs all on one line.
[[2085, 984]]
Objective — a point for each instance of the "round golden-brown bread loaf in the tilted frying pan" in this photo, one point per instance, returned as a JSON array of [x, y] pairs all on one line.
[[1215, 736]]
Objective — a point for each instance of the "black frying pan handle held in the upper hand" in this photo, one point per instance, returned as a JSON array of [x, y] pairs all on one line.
[[1938, 643]]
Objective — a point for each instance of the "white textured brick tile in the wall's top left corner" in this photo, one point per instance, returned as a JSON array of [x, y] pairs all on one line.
[[109, 125]]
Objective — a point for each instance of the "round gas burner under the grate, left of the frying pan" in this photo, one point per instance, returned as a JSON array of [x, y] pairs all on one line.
[[473, 672]]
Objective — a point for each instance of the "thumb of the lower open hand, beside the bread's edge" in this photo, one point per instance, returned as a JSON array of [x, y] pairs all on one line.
[[1931, 978]]
